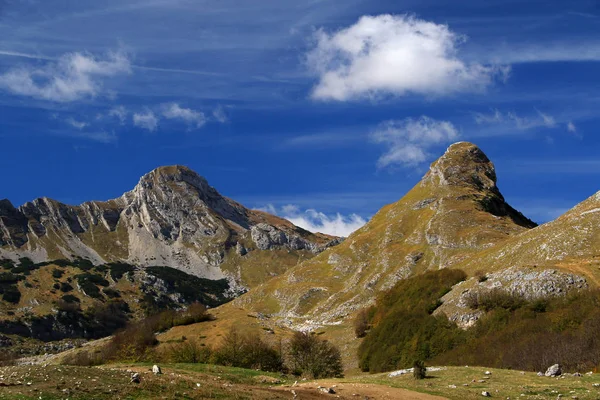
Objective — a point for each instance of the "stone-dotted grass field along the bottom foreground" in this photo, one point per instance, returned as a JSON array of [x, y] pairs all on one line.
[[199, 381]]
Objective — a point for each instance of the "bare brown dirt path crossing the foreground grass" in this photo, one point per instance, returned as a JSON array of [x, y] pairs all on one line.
[[362, 391]]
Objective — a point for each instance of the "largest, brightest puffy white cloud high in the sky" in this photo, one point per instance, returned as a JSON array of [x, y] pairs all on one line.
[[395, 55]]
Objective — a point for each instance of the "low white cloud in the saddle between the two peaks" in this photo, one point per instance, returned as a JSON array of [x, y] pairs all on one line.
[[314, 221]]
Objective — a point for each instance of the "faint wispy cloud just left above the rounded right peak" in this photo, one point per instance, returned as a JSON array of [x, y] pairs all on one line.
[[410, 139]]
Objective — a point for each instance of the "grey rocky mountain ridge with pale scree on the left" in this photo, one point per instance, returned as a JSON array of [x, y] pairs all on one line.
[[173, 218]]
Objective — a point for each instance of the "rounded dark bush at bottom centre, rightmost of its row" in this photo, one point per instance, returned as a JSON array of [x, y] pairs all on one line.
[[314, 357]]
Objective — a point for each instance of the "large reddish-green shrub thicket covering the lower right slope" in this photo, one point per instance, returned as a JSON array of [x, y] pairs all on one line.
[[514, 333]]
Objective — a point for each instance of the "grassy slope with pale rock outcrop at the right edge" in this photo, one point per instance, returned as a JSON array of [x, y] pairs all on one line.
[[551, 260]]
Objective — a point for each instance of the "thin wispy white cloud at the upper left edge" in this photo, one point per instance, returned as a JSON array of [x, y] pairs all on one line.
[[70, 78]]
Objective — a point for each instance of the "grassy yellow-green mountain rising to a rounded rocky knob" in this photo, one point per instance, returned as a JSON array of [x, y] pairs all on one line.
[[455, 211]]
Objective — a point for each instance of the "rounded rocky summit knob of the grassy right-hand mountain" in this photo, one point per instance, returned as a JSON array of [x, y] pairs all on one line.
[[463, 164]]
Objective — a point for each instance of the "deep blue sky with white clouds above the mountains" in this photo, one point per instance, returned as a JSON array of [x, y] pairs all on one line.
[[332, 106]]
